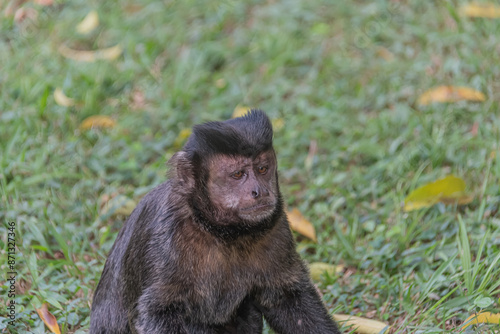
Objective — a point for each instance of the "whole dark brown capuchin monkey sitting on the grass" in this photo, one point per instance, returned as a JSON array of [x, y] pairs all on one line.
[[210, 251]]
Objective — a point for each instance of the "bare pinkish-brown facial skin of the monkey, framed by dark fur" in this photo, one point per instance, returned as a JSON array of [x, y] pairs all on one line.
[[245, 186]]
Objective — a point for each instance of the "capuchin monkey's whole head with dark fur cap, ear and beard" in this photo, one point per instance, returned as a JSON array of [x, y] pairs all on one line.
[[229, 170]]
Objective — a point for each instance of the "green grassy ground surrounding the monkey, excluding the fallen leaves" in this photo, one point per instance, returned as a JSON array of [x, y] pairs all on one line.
[[345, 75]]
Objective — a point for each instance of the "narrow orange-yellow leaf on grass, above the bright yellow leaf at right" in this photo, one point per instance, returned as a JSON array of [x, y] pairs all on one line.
[[450, 94]]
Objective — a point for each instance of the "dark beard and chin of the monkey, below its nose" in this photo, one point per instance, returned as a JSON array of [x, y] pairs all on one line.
[[230, 225]]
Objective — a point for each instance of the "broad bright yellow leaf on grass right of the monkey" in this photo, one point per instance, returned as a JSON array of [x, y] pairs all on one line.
[[448, 190]]
